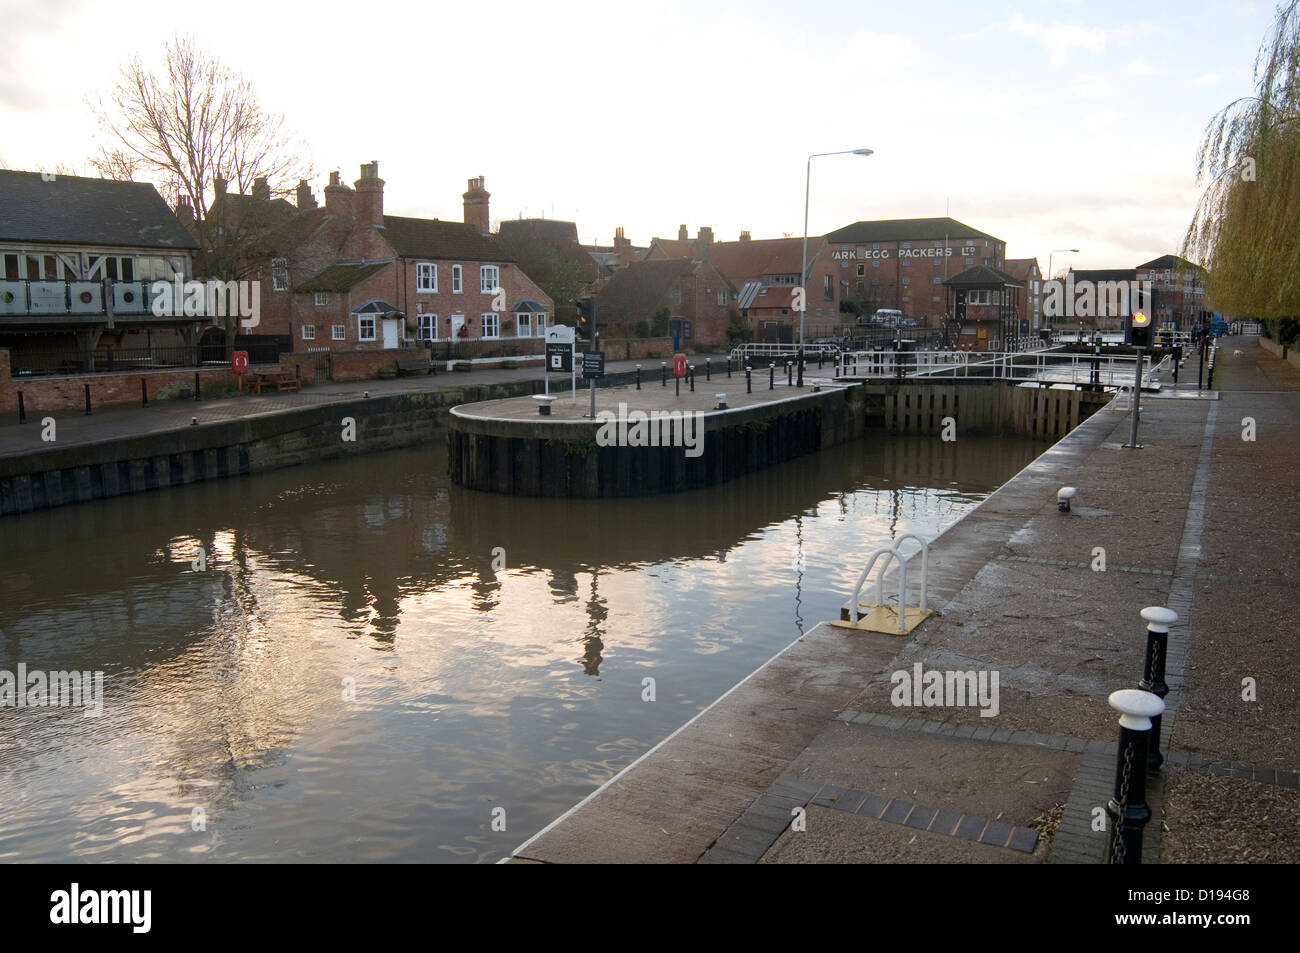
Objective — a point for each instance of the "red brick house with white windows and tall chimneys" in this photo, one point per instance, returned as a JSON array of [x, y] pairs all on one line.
[[350, 278]]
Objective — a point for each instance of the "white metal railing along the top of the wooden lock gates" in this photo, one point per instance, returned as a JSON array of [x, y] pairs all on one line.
[[1047, 366]]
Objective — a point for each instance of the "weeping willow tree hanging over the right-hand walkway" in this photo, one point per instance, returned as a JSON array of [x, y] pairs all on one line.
[[1247, 227]]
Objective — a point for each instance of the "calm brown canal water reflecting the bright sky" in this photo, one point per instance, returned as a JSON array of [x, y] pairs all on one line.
[[475, 688]]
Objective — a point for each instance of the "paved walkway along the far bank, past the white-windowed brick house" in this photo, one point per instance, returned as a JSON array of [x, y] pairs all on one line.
[[133, 421]]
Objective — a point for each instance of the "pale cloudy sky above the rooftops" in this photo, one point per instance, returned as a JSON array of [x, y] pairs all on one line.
[[1048, 124]]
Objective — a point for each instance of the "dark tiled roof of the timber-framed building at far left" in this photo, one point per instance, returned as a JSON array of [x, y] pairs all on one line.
[[72, 210]]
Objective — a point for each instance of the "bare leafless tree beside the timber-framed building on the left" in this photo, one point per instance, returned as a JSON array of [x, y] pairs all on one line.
[[192, 129]]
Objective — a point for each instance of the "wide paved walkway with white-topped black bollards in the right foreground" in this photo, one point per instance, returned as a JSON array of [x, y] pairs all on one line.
[[1199, 519]]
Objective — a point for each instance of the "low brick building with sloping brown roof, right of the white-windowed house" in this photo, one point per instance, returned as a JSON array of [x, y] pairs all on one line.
[[696, 296]]
